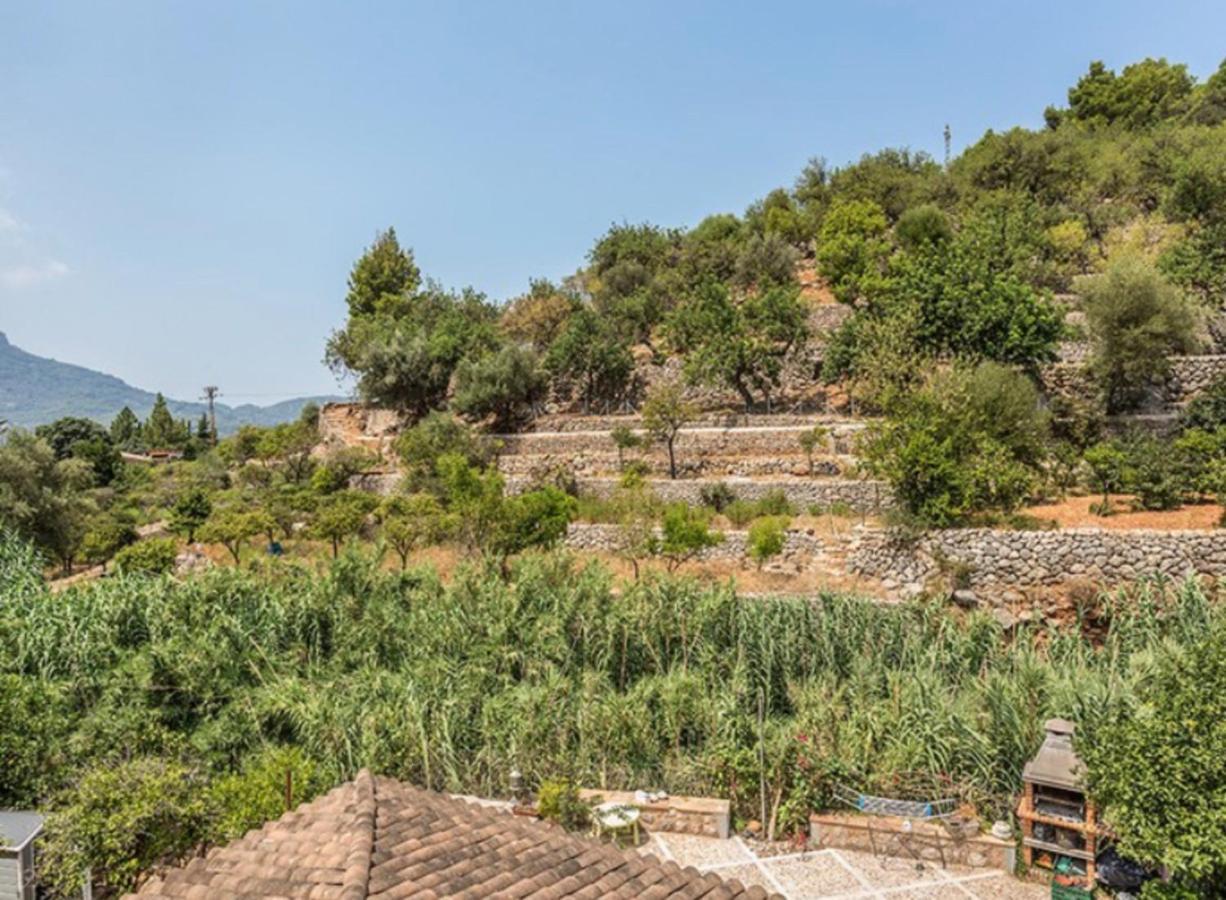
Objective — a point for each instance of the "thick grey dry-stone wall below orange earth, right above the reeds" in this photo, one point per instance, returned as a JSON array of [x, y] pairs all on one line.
[[1037, 559]]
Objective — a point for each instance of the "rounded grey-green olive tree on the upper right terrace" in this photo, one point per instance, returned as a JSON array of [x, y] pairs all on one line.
[[1137, 321]]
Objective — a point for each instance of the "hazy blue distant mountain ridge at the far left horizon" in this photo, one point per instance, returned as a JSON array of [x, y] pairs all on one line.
[[35, 391]]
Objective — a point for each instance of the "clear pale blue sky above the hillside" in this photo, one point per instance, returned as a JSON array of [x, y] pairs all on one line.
[[185, 186]]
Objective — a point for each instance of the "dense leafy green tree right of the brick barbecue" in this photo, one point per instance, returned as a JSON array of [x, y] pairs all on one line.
[[1159, 771]]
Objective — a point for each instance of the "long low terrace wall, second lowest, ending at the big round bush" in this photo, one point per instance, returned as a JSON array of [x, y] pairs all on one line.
[[859, 496]]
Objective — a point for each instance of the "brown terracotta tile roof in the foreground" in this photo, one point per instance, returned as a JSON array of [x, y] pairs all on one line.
[[378, 838]]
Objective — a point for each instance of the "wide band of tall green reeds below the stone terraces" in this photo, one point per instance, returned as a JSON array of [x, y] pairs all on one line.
[[558, 673]]
